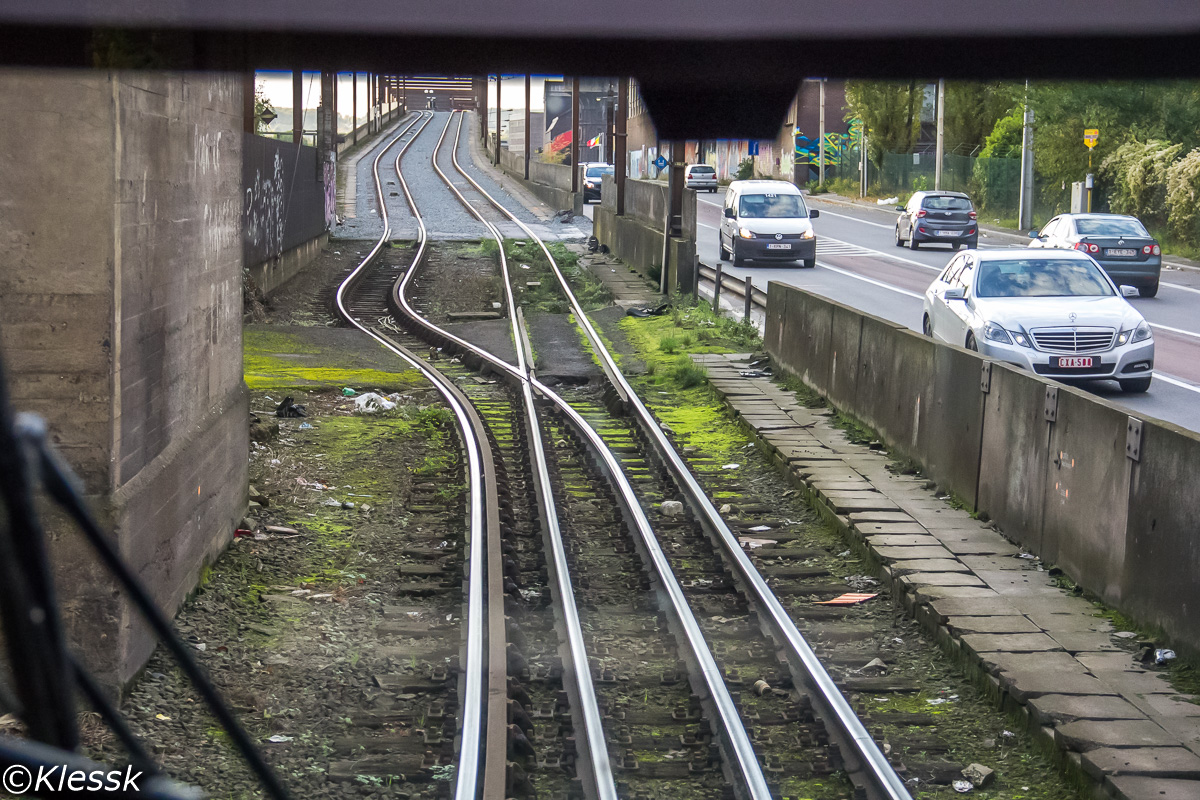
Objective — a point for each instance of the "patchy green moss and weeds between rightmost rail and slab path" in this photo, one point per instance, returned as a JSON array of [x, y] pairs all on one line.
[[939, 717]]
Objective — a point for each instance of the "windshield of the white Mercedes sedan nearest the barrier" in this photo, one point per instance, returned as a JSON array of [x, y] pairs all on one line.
[[1036, 278]]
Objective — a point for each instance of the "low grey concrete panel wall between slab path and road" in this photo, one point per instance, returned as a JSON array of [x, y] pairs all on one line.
[[1124, 530]]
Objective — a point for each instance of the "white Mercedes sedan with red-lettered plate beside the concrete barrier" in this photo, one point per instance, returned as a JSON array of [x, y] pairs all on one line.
[[1055, 314]]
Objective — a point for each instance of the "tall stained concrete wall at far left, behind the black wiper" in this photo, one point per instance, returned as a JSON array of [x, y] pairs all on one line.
[[122, 323]]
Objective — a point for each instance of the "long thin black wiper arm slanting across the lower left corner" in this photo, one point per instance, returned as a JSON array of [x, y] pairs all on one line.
[[63, 485]]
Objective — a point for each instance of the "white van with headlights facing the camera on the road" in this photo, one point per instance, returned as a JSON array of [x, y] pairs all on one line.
[[767, 221]]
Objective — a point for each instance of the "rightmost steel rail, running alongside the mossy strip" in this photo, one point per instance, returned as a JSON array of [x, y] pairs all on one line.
[[880, 778]]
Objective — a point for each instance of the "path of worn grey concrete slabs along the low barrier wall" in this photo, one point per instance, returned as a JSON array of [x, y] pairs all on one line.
[[1045, 651]]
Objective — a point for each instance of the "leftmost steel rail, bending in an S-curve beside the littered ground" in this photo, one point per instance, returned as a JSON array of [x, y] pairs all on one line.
[[483, 496]]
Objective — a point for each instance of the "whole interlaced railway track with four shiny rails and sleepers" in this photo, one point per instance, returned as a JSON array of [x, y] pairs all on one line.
[[621, 685]]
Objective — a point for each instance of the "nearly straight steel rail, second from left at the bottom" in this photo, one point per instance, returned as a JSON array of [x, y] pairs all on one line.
[[599, 777]]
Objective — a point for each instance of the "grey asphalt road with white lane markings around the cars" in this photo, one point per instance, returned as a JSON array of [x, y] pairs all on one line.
[[860, 266]]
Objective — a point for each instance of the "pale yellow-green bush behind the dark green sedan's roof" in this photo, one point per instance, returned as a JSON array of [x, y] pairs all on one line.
[[1137, 175]]
